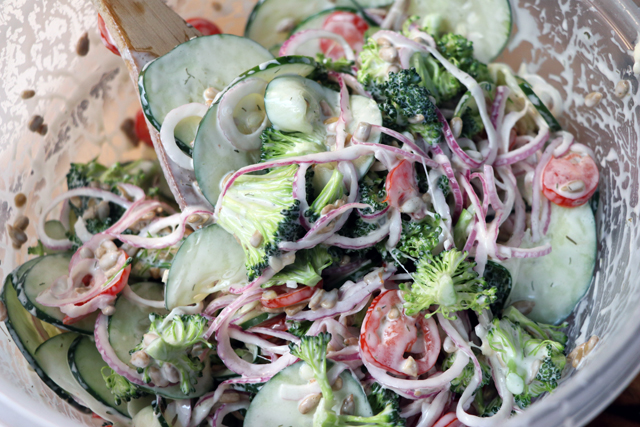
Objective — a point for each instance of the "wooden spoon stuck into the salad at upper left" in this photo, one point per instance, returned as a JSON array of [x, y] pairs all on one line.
[[144, 30]]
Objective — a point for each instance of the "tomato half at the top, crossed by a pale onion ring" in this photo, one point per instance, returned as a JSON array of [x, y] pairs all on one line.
[[348, 25]]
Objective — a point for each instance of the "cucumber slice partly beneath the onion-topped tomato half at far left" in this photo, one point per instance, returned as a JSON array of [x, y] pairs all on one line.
[[38, 278]]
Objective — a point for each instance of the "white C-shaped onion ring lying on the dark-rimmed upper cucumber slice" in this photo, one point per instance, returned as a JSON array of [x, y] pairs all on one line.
[[226, 108]]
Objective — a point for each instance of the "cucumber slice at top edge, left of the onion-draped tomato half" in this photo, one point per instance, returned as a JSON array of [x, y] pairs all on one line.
[[271, 20]]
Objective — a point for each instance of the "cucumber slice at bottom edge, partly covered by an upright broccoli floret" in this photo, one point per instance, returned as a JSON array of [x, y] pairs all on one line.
[[261, 413]]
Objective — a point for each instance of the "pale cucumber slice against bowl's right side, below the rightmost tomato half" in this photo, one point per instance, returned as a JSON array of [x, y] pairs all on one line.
[[557, 282]]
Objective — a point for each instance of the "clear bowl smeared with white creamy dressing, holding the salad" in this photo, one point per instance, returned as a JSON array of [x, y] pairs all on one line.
[[579, 47]]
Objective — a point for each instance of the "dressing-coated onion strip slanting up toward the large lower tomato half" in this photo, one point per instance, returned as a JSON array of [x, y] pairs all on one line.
[[348, 296]]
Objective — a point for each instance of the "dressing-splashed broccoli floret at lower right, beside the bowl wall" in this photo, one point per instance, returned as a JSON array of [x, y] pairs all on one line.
[[532, 365]]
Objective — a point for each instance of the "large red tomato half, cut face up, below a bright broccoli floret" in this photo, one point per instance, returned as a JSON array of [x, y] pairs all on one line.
[[387, 334]]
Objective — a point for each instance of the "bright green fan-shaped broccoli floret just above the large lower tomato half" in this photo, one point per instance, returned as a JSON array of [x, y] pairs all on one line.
[[449, 281]]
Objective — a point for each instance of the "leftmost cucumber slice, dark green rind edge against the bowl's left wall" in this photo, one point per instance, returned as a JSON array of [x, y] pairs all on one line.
[[20, 325]]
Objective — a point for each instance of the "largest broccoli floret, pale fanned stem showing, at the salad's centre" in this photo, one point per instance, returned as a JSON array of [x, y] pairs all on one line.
[[260, 211]]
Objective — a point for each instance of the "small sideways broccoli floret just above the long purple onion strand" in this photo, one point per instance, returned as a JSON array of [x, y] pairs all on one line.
[[279, 145]]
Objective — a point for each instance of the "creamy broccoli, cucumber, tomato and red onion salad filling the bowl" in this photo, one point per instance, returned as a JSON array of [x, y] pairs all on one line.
[[390, 230]]
